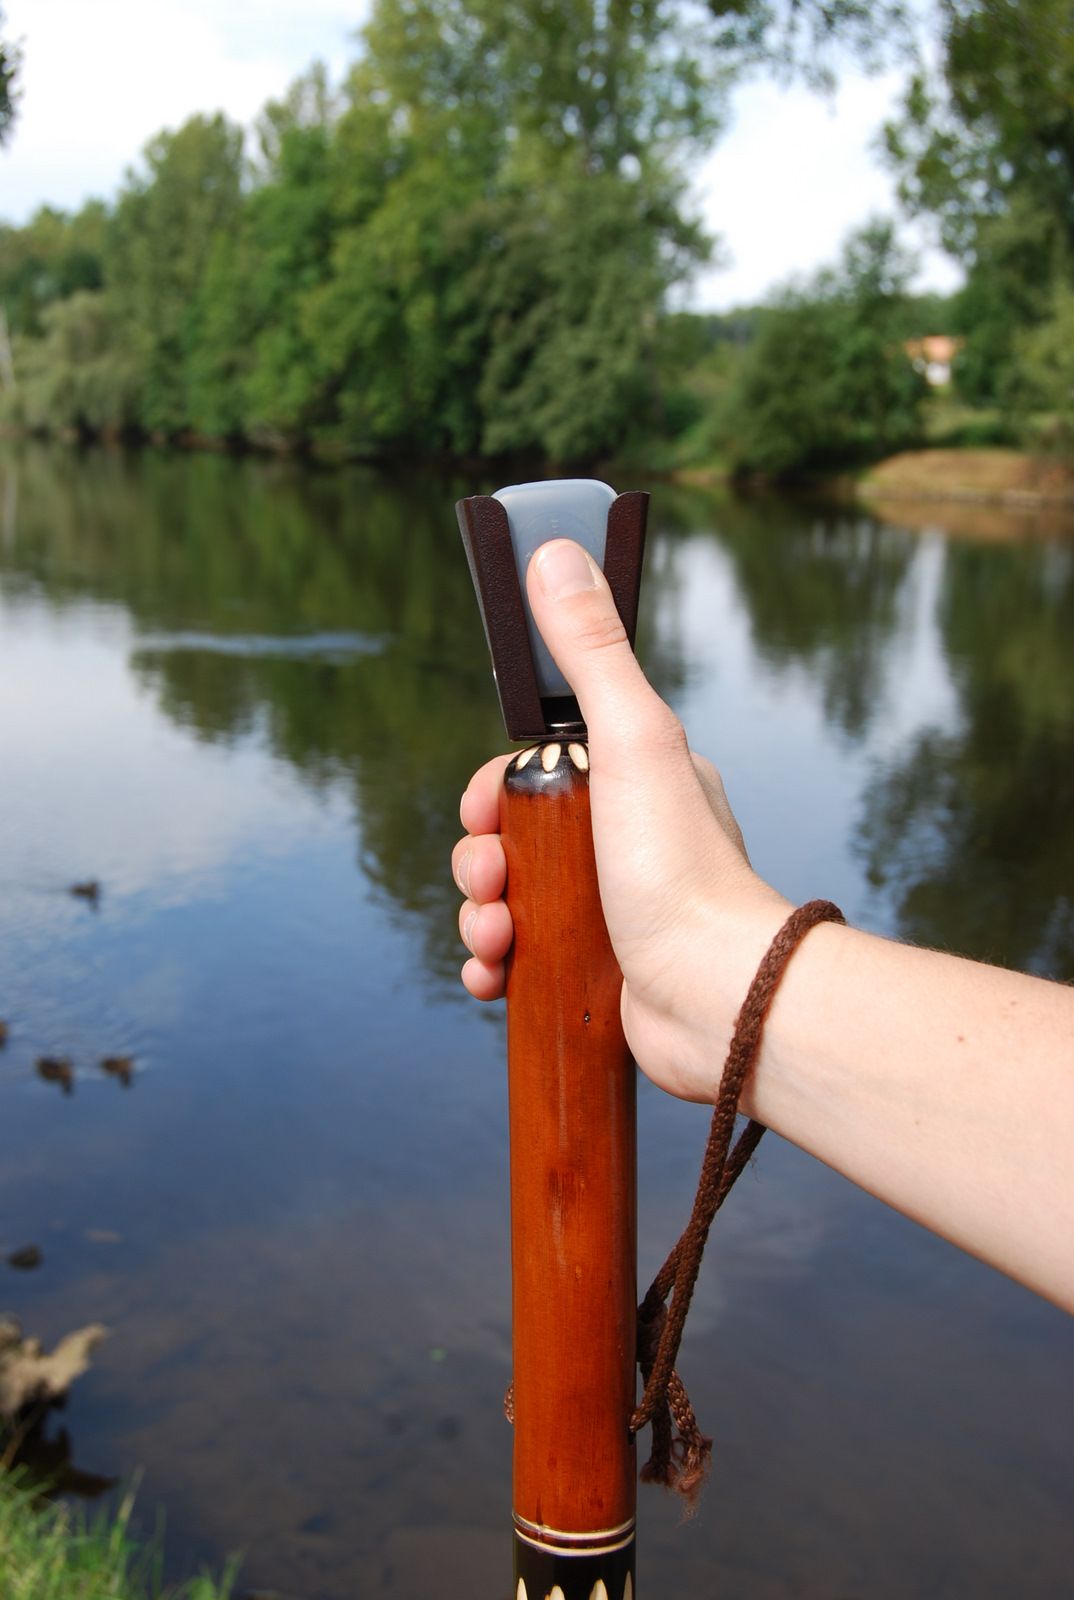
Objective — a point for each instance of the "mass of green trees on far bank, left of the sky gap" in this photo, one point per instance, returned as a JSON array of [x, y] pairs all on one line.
[[465, 254]]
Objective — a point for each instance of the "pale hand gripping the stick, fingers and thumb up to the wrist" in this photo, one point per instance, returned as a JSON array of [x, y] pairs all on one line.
[[687, 916]]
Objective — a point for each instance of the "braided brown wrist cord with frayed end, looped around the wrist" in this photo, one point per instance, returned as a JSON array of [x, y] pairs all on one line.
[[681, 1460]]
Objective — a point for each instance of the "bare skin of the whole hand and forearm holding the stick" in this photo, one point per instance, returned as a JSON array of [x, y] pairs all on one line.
[[940, 1086]]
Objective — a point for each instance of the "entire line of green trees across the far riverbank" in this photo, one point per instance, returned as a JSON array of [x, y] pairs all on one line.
[[468, 249]]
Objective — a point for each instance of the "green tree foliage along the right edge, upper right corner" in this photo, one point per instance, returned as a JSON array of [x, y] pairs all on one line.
[[985, 145]]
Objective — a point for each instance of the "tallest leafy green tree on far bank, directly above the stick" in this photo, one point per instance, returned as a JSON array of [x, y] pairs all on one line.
[[511, 220]]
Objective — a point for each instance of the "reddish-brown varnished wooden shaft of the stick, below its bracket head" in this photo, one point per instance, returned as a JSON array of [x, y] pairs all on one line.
[[572, 1186]]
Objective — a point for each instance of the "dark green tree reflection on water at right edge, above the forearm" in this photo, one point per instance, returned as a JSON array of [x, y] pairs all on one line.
[[971, 831]]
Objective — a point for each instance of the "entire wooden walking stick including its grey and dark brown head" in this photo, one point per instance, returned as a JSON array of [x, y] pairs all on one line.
[[571, 1078]]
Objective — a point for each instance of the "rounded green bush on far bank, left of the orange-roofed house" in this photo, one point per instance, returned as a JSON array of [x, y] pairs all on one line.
[[827, 380]]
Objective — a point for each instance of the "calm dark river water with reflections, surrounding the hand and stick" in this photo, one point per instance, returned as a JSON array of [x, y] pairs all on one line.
[[246, 700]]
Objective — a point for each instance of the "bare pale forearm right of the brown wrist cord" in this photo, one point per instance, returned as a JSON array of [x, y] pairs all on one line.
[[940, 1086]]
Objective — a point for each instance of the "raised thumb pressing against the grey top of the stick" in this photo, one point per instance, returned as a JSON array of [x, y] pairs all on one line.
[[580, 625]]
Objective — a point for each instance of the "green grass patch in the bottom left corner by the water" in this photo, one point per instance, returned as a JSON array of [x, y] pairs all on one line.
[[54, 1553]]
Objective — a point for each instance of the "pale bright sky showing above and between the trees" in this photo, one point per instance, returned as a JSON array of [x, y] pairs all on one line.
[[788, 180]]
